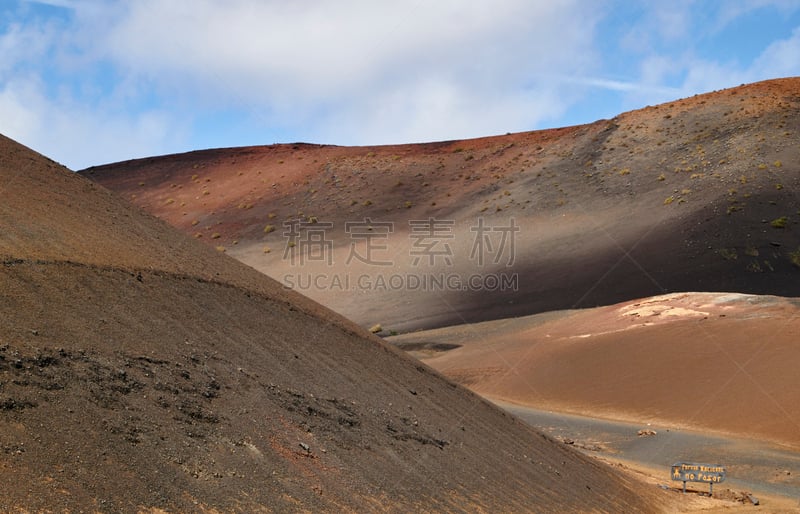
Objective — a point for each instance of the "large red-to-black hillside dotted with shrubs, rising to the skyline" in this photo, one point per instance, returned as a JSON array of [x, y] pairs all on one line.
[[676, 197]]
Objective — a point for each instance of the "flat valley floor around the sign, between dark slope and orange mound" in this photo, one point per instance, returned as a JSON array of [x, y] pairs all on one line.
[[769, 472]]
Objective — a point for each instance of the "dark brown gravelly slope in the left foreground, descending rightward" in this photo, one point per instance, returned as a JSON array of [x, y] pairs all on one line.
[[140, 370]]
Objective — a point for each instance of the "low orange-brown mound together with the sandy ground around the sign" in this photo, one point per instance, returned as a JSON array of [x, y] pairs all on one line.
[[710, 373]]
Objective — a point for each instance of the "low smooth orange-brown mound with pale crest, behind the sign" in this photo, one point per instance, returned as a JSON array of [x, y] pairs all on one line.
[[702, 361]]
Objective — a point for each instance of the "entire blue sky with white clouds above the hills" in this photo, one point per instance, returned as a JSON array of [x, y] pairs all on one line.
[[94, 81]]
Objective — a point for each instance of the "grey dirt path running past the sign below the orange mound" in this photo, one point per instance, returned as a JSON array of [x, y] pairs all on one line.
[[751, 465]]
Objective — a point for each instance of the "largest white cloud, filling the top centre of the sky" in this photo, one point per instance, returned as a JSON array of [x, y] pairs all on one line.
[[445, 65]]
